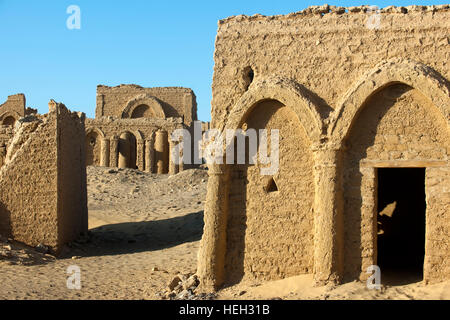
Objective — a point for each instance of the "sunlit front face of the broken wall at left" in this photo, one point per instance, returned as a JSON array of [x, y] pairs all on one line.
[[29, 184]]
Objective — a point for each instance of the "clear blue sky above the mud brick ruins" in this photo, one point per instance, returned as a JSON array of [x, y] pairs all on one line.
[[149, 43]]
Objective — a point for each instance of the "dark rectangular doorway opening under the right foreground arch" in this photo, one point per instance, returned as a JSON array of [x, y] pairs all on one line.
[[401, 224]]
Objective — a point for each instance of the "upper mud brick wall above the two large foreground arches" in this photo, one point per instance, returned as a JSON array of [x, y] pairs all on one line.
[[326, 53]]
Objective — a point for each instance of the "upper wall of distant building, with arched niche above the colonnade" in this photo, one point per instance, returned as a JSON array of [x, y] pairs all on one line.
[[175, 101]]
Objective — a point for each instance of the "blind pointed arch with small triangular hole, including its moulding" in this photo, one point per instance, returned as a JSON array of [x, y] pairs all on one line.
[[282, 104]]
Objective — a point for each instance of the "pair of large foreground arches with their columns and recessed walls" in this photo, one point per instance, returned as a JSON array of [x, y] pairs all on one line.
[[325, 201]]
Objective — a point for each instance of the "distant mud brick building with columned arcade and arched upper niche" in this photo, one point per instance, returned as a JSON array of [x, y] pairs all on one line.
[[133, 126]]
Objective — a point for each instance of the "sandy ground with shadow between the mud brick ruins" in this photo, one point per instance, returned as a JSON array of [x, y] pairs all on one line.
[[144, 230]]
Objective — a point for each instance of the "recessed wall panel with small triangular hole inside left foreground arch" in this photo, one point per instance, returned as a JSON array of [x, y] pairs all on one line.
[[270, 223]]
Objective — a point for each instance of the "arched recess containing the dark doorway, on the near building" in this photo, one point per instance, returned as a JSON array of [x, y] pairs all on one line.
[[394, 140]]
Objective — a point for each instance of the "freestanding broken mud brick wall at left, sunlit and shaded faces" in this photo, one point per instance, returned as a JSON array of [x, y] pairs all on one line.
[[42, 199]]
